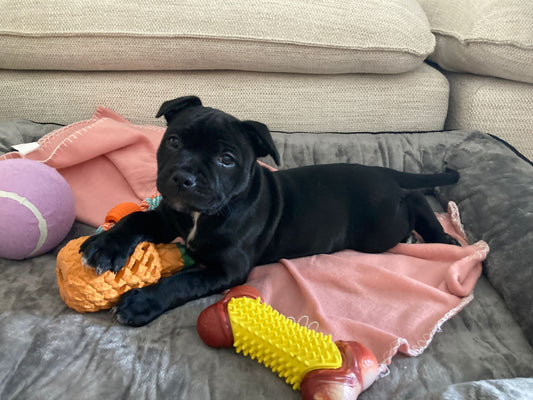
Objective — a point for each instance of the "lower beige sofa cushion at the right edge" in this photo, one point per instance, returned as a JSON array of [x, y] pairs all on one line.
[[501, 107]]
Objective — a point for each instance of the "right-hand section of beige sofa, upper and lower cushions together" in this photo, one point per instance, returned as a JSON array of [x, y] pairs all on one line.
[[484, 49]]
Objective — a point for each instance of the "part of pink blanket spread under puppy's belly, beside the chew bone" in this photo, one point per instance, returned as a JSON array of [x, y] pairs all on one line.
[[394, 301]]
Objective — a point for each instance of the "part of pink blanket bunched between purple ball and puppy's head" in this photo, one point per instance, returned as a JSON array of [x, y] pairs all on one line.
[[106, 160]]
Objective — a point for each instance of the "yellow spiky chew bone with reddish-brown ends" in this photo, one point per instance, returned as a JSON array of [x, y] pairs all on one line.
[[307, 360]]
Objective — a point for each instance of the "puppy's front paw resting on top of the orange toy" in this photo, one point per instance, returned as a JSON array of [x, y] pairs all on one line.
[[106, 252]]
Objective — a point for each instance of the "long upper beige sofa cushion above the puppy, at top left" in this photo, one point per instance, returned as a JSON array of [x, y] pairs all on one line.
[[326, 36]]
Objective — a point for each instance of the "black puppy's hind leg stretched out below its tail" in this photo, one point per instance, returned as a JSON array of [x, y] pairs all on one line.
[[425, 221]]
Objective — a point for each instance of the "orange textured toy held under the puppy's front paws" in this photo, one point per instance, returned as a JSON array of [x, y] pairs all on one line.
[[85, 291]]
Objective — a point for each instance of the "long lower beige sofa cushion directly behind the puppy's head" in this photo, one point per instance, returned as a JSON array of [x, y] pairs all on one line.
[[414, 101]]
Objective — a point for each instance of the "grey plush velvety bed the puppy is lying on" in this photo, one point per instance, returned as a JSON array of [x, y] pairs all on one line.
[[51, 352]]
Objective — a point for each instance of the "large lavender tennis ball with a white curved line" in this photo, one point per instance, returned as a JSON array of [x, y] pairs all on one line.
[[36, 208]]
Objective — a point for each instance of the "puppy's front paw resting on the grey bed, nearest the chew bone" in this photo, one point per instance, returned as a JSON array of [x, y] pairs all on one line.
[[137, 308]]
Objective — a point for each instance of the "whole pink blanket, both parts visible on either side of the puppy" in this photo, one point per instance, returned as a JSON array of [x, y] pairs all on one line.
[[390, 302]]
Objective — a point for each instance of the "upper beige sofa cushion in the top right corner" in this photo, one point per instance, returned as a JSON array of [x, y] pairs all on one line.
[[484, 37]]
